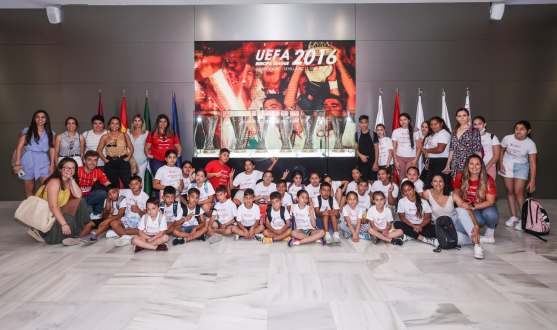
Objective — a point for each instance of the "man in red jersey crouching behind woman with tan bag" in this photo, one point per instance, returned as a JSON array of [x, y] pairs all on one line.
[[88, 175]]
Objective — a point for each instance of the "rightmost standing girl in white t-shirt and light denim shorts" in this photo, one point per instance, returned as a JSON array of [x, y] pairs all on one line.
[[519, 155]]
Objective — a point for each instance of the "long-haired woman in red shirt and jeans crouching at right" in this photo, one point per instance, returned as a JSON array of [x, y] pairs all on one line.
[[474, 191]]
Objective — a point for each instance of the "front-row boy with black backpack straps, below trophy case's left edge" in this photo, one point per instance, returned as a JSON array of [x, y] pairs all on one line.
[[193, 226]]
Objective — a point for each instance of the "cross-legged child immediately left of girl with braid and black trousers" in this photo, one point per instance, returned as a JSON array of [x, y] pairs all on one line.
[[382, 221]]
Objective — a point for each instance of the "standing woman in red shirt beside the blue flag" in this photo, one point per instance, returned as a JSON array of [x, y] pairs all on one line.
[[159, 141]]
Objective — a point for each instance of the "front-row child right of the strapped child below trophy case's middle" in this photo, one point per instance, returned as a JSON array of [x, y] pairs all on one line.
[[304, 219]]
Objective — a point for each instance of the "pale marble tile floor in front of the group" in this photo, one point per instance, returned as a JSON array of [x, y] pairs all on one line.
[[247, 285]]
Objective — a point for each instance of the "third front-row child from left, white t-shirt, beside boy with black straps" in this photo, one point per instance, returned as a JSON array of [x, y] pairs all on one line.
[[223, 218]]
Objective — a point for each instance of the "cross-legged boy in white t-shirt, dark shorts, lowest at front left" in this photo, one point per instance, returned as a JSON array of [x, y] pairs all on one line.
[[152, 228]]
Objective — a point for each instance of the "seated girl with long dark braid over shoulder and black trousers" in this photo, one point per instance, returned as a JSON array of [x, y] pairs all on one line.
[[415, 216]]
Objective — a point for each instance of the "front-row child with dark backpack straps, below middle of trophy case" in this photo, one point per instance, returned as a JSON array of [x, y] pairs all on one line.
[[277, 221]]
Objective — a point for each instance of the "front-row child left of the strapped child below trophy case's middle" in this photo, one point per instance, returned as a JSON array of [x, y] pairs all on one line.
[[248, 218]]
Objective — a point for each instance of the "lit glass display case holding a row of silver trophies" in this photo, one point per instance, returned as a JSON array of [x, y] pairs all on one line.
[[280, 133]]
